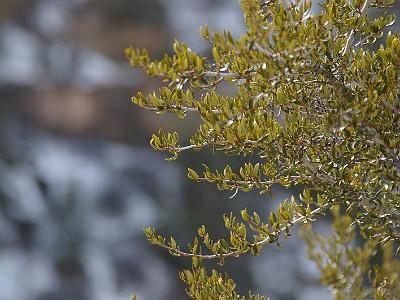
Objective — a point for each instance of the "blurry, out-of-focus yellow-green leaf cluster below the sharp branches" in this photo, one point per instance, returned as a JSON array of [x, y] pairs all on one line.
[[354, 272]]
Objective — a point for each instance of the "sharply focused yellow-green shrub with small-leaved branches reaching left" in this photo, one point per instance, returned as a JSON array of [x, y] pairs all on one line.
[[314, 106]]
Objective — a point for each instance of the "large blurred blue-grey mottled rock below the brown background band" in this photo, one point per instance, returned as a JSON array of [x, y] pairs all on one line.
[[85, 204]]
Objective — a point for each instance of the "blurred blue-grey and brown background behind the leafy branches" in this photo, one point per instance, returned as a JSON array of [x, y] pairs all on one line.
[[78, 179]]
